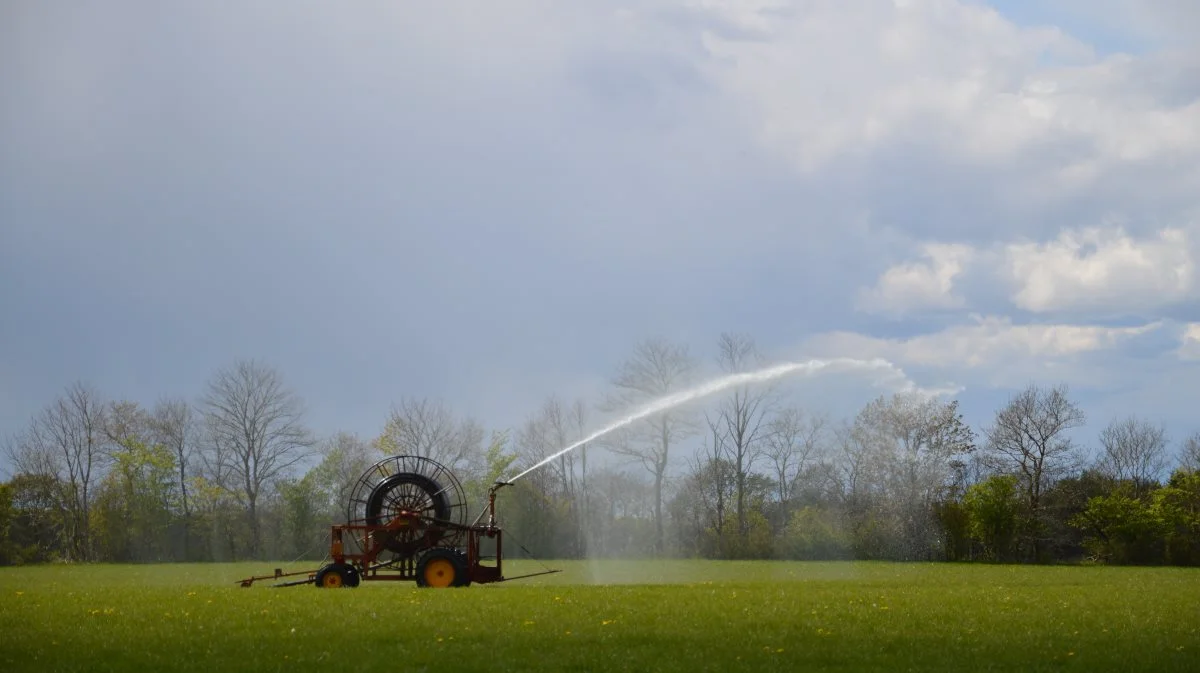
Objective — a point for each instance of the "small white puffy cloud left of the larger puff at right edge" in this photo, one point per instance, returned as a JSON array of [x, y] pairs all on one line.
[[922, 285]]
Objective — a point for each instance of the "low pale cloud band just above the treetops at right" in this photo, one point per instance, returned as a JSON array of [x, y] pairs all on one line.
[[1111, 371]]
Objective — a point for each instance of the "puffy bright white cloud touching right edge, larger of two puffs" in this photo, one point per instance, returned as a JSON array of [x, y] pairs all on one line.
[[1102, 269]]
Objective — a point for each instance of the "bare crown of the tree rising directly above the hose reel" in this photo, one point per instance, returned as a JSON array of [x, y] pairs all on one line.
[[429, 429]]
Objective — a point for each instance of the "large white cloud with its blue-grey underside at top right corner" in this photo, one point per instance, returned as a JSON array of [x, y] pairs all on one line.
[[952, 109]]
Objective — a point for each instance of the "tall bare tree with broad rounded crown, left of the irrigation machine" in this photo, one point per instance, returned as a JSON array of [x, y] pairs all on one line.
[[256, 430]]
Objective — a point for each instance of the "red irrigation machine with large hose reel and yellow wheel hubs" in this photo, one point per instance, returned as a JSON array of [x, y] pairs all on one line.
[[407, 521]]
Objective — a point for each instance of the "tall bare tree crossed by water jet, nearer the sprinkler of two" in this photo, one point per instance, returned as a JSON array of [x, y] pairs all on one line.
[[656, 369]]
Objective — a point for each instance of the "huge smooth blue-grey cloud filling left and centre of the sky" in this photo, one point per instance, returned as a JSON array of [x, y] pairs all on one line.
[[487, 205]]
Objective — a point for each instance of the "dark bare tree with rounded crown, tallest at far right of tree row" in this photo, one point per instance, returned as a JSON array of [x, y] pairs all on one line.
[[1029, 438]]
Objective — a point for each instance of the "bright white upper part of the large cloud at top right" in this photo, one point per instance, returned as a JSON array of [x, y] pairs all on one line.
[[823, 82]]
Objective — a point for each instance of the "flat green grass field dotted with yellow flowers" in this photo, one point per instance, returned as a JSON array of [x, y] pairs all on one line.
[[650, 616]]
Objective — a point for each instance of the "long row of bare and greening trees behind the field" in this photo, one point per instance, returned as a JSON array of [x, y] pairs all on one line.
[[237, 474]]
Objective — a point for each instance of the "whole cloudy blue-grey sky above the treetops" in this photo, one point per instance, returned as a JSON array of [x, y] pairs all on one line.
[[490, 203]]
